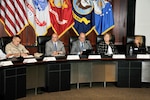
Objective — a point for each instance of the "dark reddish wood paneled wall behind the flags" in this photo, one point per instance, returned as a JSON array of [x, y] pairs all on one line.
[[120, 16]]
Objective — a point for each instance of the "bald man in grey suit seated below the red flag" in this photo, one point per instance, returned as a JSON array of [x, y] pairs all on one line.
[[54, 47]]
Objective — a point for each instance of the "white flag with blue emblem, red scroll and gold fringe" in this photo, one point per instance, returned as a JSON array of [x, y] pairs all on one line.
[[38, 15]]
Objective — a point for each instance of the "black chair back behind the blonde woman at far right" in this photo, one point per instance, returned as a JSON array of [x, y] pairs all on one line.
[[130, 39]]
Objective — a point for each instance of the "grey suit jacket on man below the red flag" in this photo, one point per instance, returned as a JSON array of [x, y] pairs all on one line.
[[49, 48]]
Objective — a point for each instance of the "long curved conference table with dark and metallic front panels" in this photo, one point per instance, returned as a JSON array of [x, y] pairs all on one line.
[[59, 73]]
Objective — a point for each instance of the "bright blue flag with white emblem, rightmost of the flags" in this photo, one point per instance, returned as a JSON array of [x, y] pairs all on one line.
[[103, 14]]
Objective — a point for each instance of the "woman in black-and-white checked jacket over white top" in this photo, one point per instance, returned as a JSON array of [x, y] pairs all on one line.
[[106, 47]]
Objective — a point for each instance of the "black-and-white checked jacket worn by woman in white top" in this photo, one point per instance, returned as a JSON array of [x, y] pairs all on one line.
[[103, 48]]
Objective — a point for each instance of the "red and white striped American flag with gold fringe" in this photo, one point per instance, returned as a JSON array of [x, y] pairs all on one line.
[[13, 16]]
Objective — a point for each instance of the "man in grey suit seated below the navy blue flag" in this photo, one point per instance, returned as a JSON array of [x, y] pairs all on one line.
[[80, 45]]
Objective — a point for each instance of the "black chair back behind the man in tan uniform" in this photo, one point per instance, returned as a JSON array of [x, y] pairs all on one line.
[[4, 42]]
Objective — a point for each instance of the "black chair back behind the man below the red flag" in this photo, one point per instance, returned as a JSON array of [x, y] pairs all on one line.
[[41, 41]]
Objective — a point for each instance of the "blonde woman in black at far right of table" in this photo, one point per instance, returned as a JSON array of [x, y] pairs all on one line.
[[138, 46]]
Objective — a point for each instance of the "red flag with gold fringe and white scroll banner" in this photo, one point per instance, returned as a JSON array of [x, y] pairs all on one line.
[[61, 16]]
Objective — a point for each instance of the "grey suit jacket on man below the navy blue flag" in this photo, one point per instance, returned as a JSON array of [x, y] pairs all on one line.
[[76, 48]]
